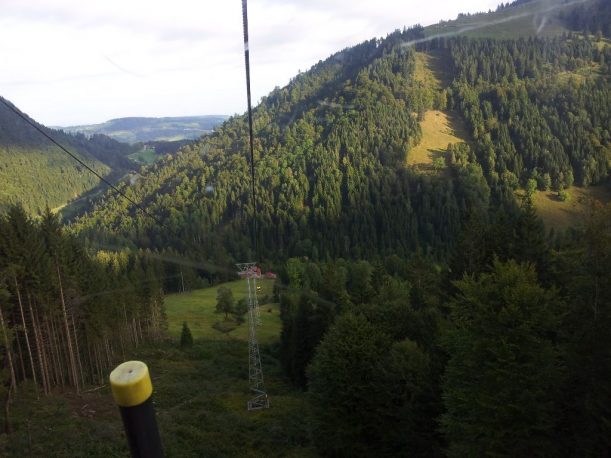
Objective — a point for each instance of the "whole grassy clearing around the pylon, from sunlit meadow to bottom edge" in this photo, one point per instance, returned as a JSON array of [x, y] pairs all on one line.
[[200, 397]]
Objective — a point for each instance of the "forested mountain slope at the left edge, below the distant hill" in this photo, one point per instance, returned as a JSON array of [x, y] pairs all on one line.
[[36, 173]]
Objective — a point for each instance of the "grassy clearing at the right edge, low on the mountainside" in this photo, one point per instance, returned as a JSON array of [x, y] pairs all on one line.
[[562, 215]]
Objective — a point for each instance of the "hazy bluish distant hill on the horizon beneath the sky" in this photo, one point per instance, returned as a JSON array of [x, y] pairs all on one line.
[[139, 129]]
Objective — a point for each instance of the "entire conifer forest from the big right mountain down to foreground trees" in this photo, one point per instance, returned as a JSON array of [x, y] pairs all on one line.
[[422, 314]]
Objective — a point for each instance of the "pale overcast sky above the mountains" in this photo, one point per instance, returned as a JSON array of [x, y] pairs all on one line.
[[67, 62]]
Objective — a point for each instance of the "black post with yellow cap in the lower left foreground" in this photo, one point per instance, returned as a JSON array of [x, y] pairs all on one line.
[[132, 389]]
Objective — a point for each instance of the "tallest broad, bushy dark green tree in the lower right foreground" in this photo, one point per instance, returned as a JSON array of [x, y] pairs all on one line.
[[503, 368]]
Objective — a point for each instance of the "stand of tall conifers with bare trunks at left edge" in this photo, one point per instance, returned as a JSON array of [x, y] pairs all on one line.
[[68, 316]]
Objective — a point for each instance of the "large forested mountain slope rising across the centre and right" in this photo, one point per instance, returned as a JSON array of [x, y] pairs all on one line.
[[331, 146]]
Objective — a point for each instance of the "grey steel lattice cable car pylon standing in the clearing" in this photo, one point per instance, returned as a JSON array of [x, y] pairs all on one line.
[[250, 272]]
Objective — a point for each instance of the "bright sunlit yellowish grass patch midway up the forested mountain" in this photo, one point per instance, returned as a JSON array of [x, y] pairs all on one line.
[[439, 128]]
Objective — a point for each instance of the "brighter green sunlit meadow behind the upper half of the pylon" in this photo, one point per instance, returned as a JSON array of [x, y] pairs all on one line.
[[197, 308]]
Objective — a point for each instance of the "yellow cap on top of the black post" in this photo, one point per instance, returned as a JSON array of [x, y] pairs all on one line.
[[130, 383]]
